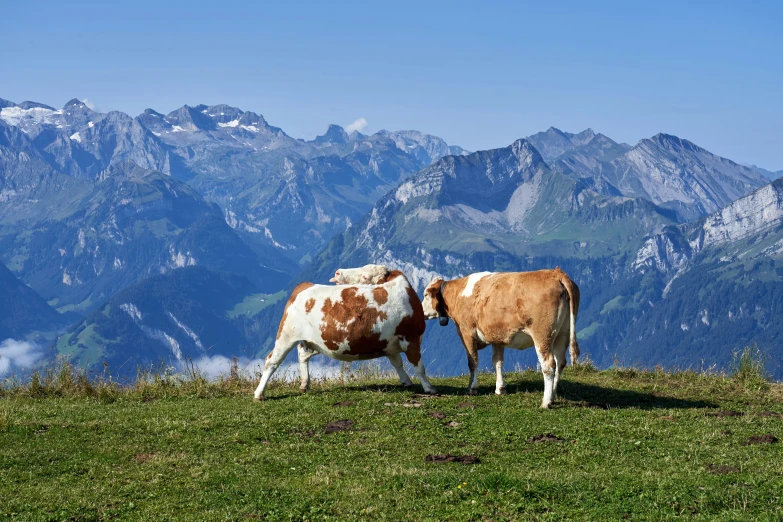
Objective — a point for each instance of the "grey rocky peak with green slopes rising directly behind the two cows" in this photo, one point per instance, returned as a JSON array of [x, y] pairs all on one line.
[[502, 202]]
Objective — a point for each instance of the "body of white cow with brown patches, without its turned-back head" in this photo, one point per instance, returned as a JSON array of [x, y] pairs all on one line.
[[351, 323]]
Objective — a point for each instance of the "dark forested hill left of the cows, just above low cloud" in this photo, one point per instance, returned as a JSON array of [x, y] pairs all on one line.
[[185, 314]]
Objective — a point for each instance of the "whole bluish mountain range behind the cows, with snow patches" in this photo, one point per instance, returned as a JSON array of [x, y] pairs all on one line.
[[162, 237]]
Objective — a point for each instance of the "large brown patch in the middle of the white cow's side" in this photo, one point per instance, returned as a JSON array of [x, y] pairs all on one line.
[[352, 307]]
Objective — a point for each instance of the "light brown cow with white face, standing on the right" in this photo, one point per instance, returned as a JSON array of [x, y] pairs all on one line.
[[515, 310]]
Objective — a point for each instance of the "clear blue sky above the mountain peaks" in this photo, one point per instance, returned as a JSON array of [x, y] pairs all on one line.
[[478, 74]]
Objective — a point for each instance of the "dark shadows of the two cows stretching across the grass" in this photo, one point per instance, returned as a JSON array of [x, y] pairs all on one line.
[[577, 394]]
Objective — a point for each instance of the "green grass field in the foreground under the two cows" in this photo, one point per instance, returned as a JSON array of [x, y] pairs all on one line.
[[625, 445]]
